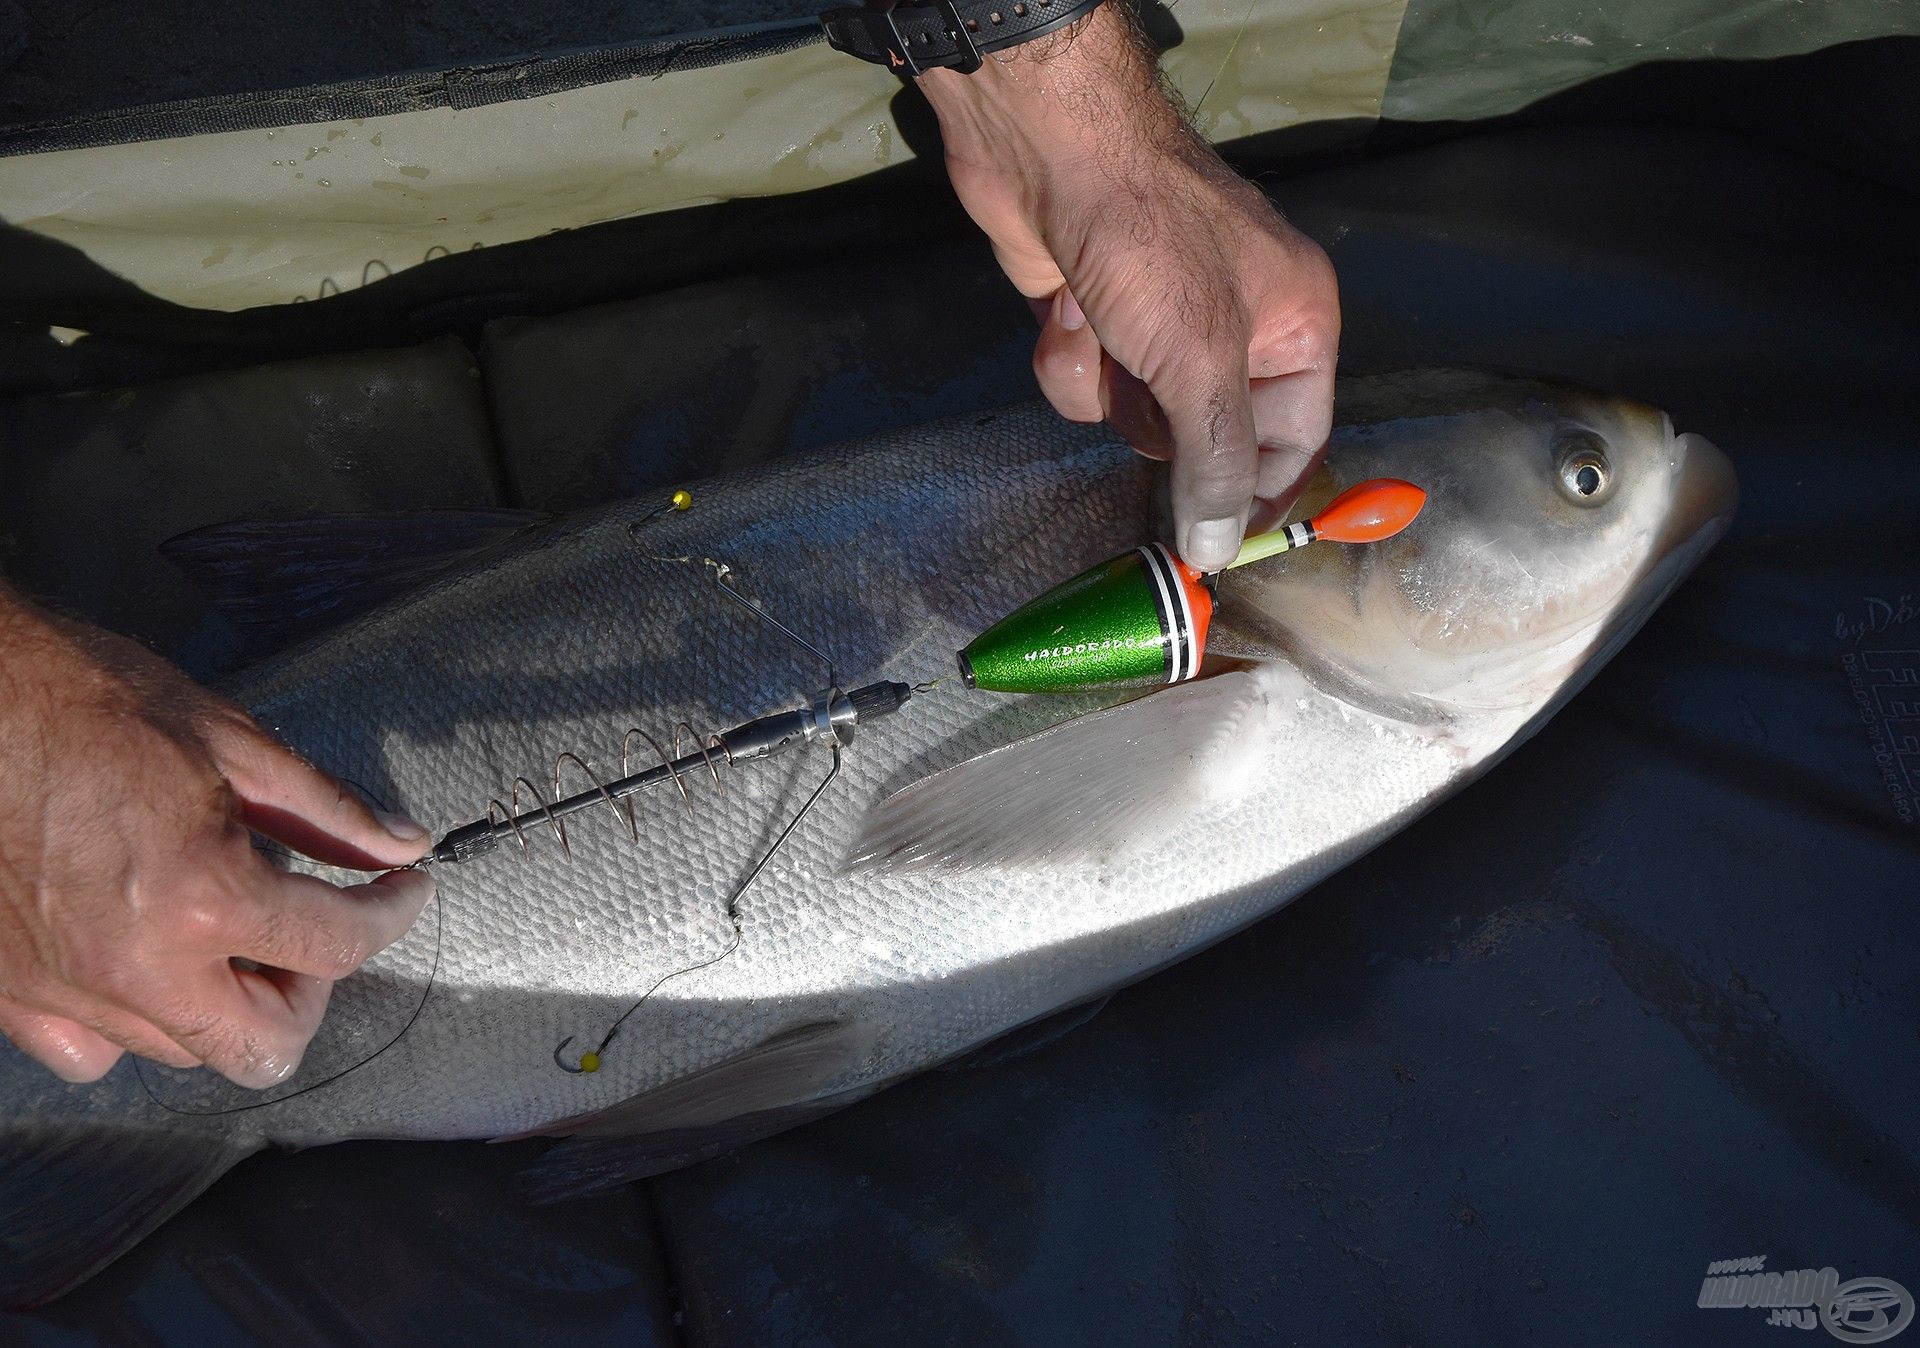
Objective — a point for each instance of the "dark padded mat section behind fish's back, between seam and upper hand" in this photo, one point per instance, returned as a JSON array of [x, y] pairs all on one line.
[[606, 402]]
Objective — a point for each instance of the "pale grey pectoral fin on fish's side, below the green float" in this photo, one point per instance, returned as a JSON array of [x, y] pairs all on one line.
[[1078, 792]]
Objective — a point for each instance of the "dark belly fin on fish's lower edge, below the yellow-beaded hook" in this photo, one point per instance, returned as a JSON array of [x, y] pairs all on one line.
[[765, 1090]]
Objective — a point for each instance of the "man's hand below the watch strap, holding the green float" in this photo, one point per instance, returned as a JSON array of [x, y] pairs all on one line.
[[1176, 302]]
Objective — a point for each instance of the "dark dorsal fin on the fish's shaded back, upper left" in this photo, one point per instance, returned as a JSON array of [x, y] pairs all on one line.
[[283, 581]]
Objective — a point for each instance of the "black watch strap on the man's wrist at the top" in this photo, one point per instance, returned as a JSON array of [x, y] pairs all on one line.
[[917, 37]]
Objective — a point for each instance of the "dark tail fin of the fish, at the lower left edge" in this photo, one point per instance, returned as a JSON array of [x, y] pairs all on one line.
[[76, 1199]]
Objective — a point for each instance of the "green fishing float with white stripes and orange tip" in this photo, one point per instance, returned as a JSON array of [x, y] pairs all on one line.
[[1143, 617]]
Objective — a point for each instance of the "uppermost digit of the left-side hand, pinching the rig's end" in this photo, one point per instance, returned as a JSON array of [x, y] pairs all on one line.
[[295, 804]]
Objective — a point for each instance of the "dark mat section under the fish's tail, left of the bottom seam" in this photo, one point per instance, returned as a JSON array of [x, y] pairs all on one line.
[[379, 1245]]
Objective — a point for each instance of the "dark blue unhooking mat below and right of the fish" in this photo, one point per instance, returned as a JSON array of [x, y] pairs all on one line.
[[1641, 1001]]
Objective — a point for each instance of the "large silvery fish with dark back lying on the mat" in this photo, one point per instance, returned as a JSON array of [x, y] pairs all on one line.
[[971, 867]]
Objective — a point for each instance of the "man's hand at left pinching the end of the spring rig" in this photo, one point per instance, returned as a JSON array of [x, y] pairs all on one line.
[[135, 913]]
